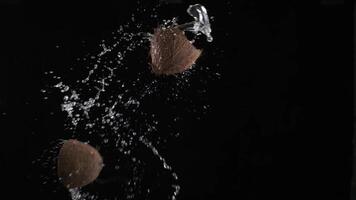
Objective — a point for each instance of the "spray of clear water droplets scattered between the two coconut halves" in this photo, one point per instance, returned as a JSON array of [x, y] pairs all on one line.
[[112, 114]]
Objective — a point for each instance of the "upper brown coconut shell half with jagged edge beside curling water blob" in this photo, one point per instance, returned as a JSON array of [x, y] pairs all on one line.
[[171, 52]]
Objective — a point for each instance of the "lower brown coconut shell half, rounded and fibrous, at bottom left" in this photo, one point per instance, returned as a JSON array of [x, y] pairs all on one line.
[[78, 164]]
